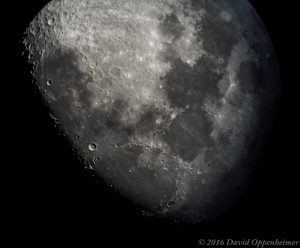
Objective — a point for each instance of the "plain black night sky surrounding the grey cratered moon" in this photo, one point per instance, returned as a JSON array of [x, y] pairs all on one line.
[[50, 197]]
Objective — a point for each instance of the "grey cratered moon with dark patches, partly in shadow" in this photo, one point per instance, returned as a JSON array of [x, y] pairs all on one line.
[[167, 101]]
